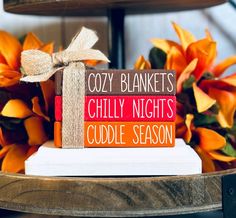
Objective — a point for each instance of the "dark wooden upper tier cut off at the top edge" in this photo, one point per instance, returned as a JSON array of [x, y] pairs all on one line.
[[95, 7]]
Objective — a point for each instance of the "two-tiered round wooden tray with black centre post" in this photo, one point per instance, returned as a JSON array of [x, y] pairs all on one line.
[[121, 196]]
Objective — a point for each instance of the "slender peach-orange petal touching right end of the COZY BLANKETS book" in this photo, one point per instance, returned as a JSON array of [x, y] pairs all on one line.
[[186, 74]]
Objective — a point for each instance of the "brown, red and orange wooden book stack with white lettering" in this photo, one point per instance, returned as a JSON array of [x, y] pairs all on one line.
[[124, 108]]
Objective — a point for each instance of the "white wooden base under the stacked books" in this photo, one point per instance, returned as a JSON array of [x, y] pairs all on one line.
[[51, 161]]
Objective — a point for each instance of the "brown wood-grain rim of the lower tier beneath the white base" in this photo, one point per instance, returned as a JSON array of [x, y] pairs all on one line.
[[126, 197]]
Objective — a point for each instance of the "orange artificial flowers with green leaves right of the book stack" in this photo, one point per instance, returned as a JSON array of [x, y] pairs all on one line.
[[206, 101]]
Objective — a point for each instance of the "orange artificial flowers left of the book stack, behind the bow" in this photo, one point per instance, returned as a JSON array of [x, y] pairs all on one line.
[[25, 109]]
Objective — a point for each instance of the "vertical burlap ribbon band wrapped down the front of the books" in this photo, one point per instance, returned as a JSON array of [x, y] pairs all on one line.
[[73, 106]]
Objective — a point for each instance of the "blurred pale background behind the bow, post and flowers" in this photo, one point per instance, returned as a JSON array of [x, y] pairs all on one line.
[[138, 29]]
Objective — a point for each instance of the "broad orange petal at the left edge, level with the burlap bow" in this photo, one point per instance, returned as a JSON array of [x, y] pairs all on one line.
[[10, 49]]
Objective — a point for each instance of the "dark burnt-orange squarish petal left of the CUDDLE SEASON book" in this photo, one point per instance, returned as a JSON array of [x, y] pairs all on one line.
[[35, 130]]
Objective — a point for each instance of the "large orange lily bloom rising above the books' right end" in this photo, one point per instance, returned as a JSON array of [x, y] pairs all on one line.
[[180, 55]]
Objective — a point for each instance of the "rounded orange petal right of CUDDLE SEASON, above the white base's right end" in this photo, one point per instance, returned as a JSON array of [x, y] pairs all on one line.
[[210, 140]]
